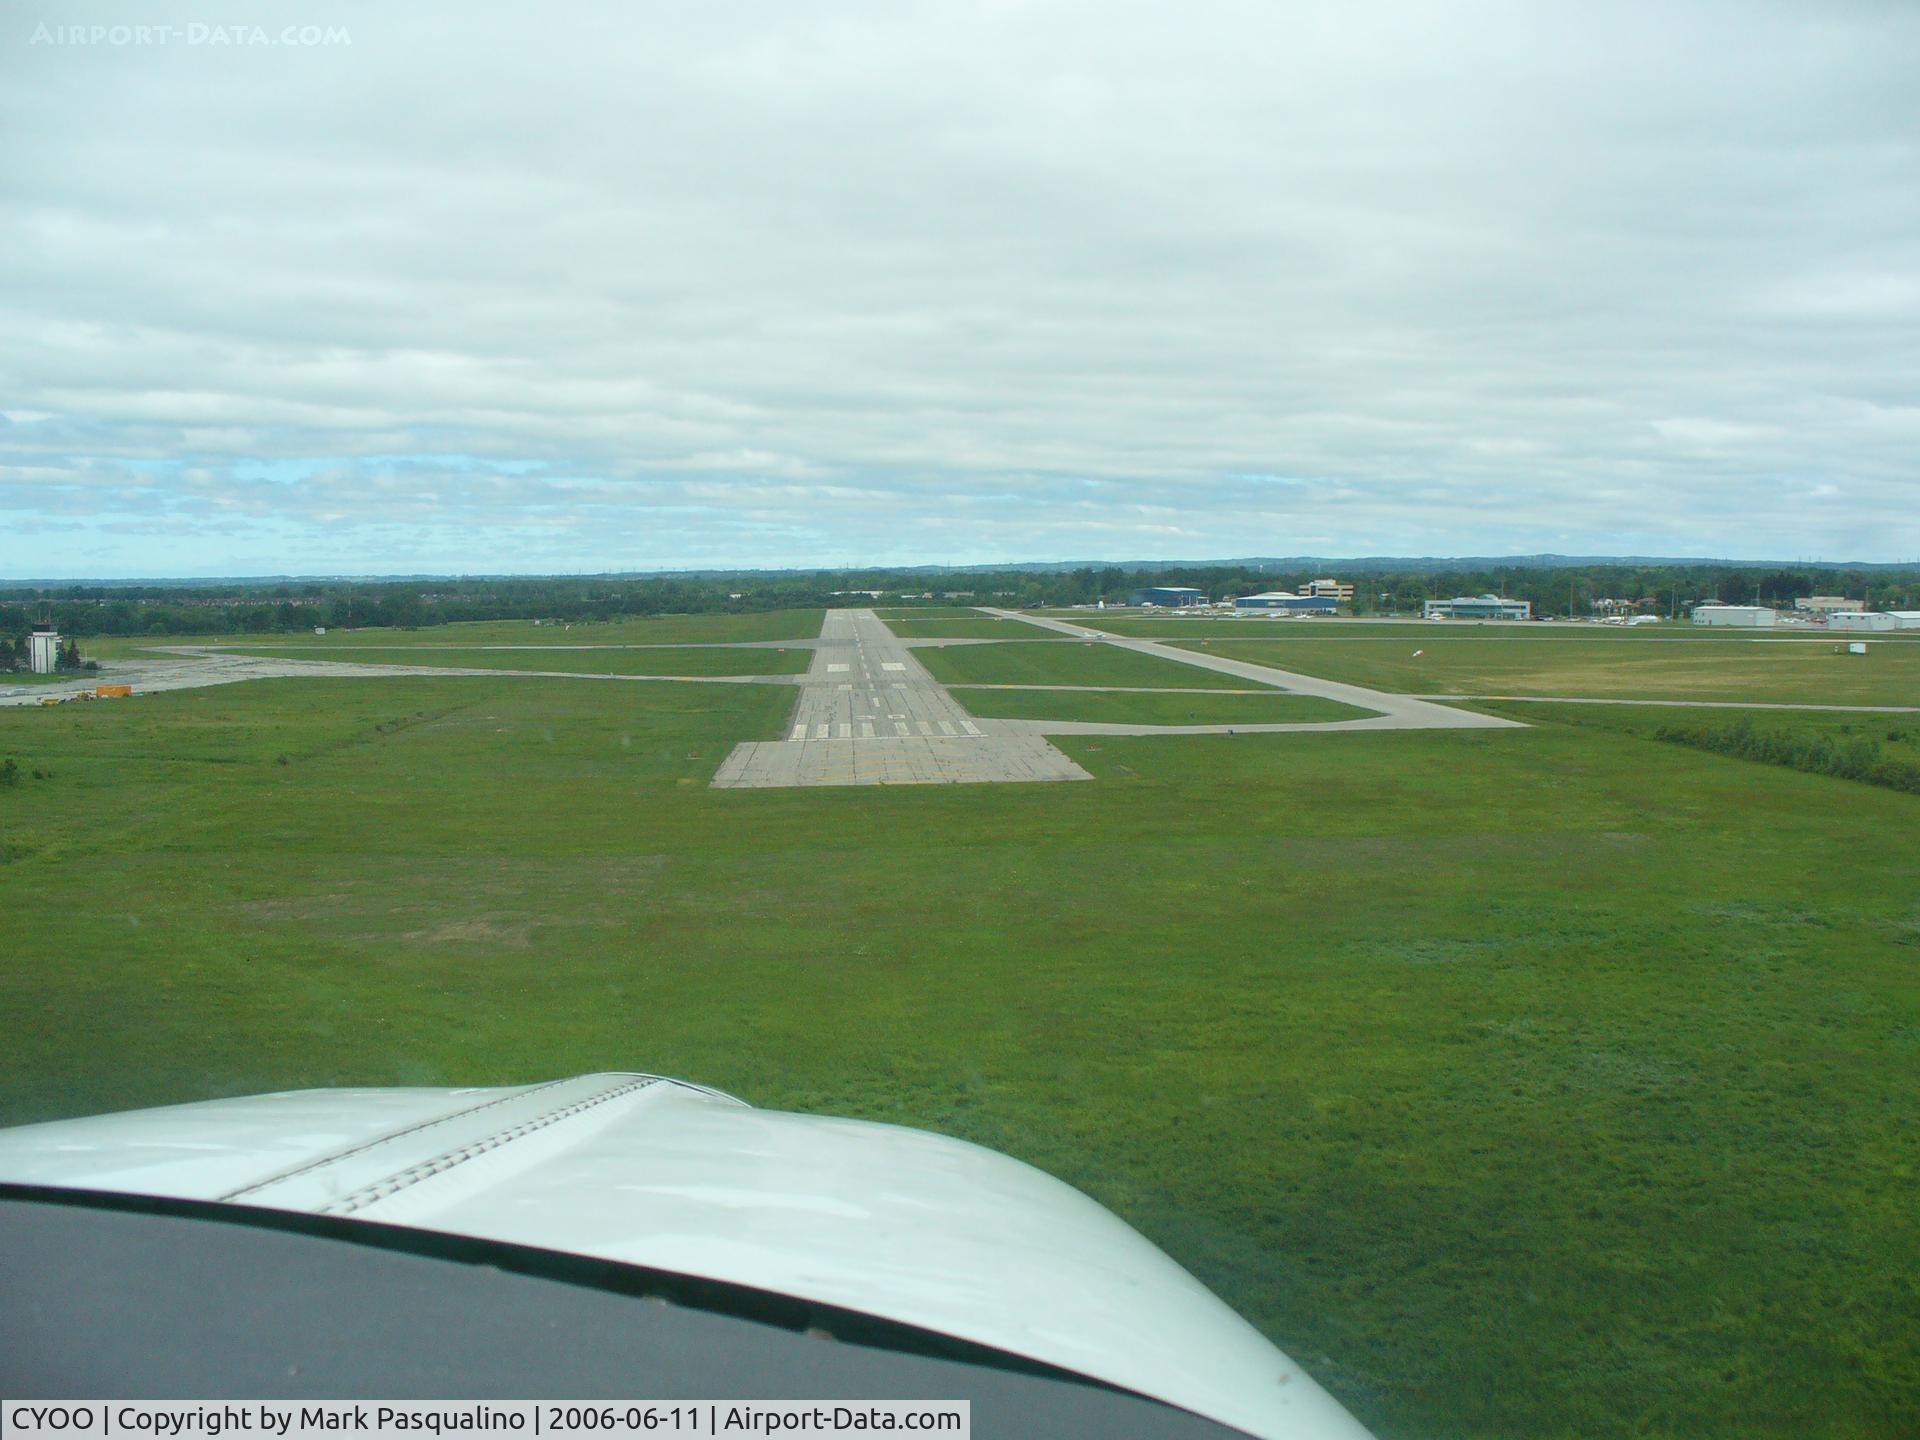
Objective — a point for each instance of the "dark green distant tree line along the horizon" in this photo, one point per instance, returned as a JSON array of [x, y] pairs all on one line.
[[272, 608]]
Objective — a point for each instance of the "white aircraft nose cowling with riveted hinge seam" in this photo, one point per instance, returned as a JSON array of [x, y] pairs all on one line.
[[654, 1172]]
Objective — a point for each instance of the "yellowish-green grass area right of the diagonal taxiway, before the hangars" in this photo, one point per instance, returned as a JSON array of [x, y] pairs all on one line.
[[1593, 665]]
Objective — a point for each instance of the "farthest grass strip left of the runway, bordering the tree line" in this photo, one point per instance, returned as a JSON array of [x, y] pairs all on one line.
[[638, 631]]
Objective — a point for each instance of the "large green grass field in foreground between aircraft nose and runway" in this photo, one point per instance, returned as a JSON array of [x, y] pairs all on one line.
[[1524, 1084]]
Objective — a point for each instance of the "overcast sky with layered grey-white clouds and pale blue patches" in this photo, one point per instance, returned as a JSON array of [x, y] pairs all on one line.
[[475, 287]]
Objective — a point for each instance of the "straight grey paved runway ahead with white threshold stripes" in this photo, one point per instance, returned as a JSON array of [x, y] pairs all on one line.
[[871, 715]]
